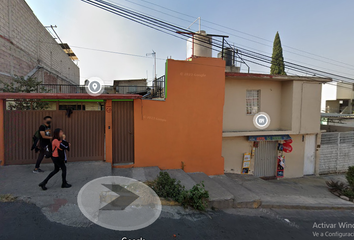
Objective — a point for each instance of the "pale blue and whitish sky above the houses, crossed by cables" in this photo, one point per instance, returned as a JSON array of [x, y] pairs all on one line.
[[324, 28]]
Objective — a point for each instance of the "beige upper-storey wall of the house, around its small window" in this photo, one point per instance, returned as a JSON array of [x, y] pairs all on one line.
[[292, 105]]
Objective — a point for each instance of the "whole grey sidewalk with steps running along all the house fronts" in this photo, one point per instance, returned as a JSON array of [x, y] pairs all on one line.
[[226, 191]]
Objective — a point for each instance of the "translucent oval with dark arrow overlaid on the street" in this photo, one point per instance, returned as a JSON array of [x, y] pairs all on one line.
[[119, 203]]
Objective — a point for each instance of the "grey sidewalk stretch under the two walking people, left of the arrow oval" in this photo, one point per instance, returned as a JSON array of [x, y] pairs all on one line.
[[57, 204]]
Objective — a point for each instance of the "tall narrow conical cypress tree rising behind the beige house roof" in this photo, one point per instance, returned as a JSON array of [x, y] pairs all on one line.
[[278, 67]]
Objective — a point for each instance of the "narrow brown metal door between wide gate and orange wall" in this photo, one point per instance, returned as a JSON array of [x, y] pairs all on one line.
[[123, 132]]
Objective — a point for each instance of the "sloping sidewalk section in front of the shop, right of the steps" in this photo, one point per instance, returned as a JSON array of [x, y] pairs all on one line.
[[301, 193]]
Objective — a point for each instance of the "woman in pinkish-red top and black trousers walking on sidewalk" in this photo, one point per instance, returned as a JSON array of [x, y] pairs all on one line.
[[59, 162]]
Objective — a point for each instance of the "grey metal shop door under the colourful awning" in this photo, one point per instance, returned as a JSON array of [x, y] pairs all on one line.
[[266, 159]]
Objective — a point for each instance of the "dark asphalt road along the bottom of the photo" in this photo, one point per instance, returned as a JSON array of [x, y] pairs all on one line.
[[20, 220]]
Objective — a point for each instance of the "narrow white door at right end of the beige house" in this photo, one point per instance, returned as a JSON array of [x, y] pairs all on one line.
[[309, 157]]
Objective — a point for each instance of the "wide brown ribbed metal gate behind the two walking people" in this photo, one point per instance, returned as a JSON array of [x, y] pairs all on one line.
[[84, 130]]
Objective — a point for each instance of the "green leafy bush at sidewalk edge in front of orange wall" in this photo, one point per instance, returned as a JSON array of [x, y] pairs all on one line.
[[170, 188]]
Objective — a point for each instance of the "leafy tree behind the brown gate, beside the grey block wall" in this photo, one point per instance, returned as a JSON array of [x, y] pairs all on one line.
[[22, 85]]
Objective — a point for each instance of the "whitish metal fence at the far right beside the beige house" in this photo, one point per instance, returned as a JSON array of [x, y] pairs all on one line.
[[336, 152]]
